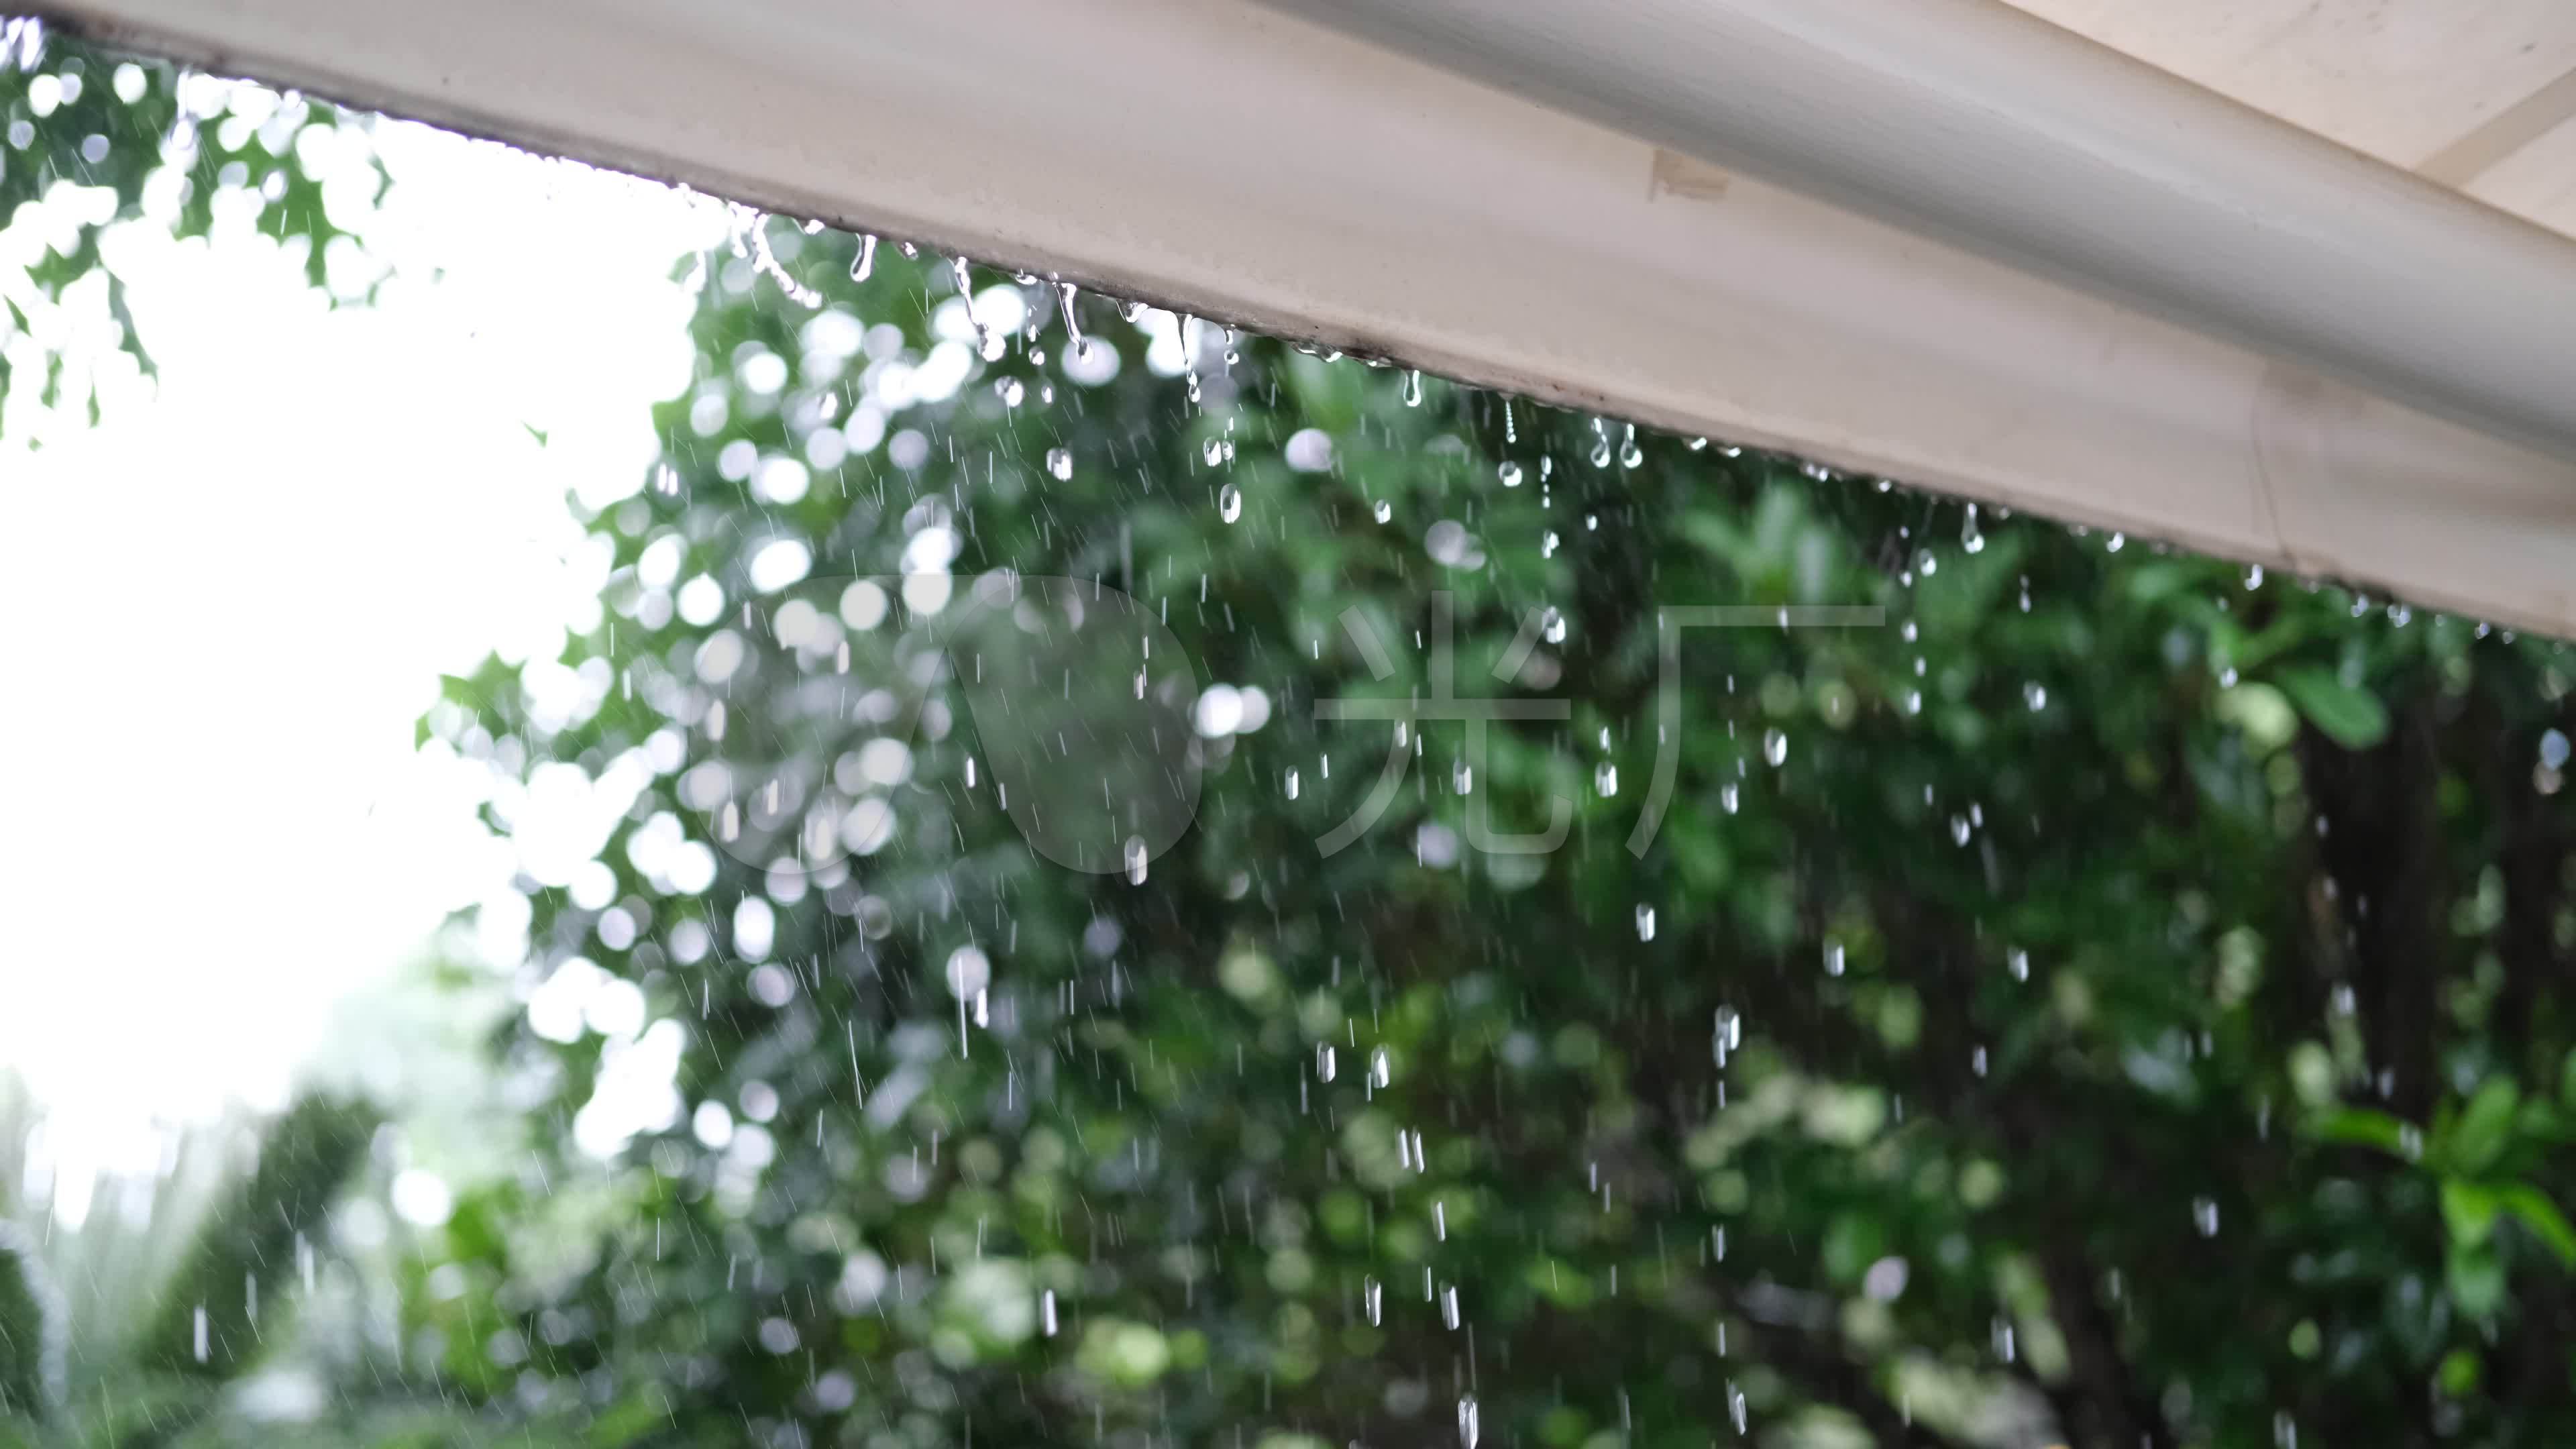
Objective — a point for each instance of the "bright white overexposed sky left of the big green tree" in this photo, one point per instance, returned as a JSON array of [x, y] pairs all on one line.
[[231, 605]]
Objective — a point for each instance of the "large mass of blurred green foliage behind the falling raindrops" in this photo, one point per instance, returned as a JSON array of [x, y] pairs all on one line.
[[2116, 1002]]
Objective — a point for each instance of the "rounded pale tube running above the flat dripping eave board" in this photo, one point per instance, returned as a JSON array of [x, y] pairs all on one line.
[[2021, 141]]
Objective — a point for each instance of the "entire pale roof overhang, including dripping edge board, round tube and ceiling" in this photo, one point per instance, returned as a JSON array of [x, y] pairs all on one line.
[[1271, 164]]
